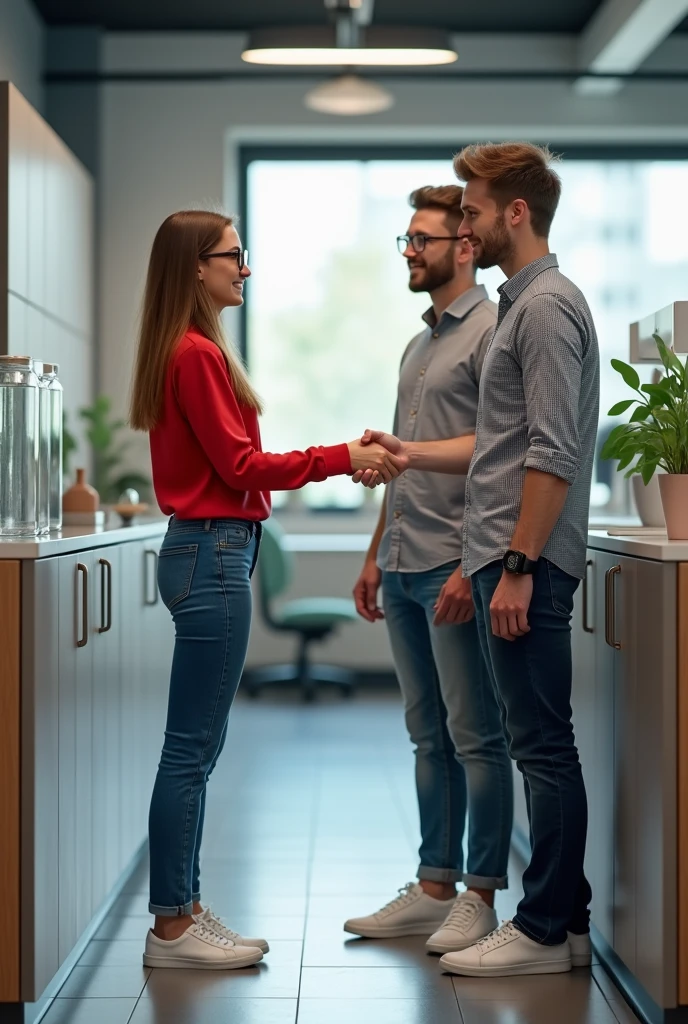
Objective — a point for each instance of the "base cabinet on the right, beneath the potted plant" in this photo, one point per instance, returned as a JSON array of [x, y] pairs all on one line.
[[625, 699]]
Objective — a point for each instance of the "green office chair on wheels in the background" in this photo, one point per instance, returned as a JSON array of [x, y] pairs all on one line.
[[311, 619]]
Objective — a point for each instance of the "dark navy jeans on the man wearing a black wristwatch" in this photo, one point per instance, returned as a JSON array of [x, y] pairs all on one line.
[[533, 676]]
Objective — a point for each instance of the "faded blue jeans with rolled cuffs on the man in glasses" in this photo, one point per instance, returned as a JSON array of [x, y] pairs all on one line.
[[454, 720]]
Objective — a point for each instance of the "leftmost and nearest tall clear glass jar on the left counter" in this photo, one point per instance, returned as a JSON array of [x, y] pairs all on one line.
[[19, 447]]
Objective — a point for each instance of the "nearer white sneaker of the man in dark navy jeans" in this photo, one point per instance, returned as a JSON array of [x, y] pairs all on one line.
[[508, 952]]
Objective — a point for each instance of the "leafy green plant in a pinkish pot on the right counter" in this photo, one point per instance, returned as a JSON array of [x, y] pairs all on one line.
[[657, 436]]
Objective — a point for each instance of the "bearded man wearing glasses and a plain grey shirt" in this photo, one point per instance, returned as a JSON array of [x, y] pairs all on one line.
[[451, 709]]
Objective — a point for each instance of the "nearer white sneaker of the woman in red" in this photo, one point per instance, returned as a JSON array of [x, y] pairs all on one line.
[[200, 948]]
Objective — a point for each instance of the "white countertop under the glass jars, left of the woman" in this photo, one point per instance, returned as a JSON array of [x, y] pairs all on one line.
[[80, 538]]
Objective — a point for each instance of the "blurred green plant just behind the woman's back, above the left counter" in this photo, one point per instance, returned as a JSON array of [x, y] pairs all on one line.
[[103, 433]]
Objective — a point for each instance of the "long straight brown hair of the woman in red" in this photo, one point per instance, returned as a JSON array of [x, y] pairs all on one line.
[[175, 302]]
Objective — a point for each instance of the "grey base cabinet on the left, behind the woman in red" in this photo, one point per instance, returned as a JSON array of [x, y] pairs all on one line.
[[97, 647]]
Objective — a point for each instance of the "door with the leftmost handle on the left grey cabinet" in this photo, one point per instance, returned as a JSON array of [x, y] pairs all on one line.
[[75, 747]]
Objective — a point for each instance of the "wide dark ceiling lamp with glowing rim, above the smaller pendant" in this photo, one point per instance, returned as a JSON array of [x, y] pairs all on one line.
[[380, 47]]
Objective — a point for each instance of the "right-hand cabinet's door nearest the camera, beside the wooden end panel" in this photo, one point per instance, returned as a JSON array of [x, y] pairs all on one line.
[[646, 766]]
